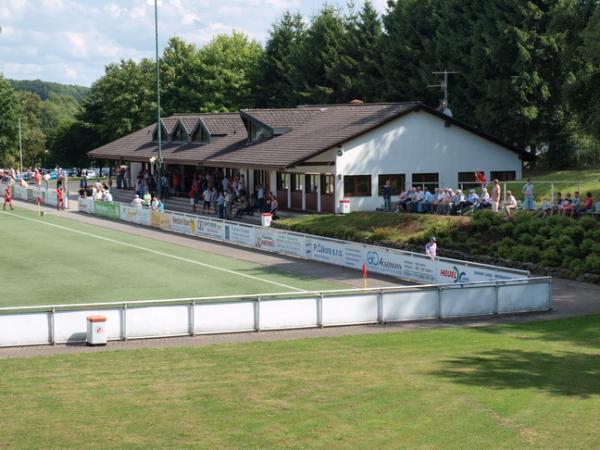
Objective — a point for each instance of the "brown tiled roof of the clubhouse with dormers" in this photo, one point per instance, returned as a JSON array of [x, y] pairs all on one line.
[[310, 131]]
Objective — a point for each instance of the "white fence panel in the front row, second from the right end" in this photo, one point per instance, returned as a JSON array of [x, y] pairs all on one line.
[[468, 301]]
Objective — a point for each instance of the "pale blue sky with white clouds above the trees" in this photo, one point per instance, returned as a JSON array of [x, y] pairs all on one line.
[[70, 41]]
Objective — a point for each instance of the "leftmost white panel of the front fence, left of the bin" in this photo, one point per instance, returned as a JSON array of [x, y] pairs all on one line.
[[24, 329]]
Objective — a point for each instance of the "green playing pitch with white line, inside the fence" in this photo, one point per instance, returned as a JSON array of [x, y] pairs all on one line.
[[78, 263]]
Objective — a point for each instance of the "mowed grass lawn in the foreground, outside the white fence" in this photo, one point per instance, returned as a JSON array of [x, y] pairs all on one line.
[[511, 386]]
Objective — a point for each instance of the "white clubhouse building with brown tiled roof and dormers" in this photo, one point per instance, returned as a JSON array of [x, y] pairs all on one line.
[[313, 157]]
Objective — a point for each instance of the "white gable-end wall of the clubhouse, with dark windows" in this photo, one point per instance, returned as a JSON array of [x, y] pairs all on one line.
[[419, 143]]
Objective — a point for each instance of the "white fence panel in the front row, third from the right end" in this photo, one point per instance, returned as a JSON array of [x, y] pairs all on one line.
[[410, 305]]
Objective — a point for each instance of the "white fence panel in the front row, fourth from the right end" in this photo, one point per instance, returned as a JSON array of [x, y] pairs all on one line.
[[350, 309]]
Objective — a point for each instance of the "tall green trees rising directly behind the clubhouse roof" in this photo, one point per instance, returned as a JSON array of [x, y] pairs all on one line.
[[528, 71]]
